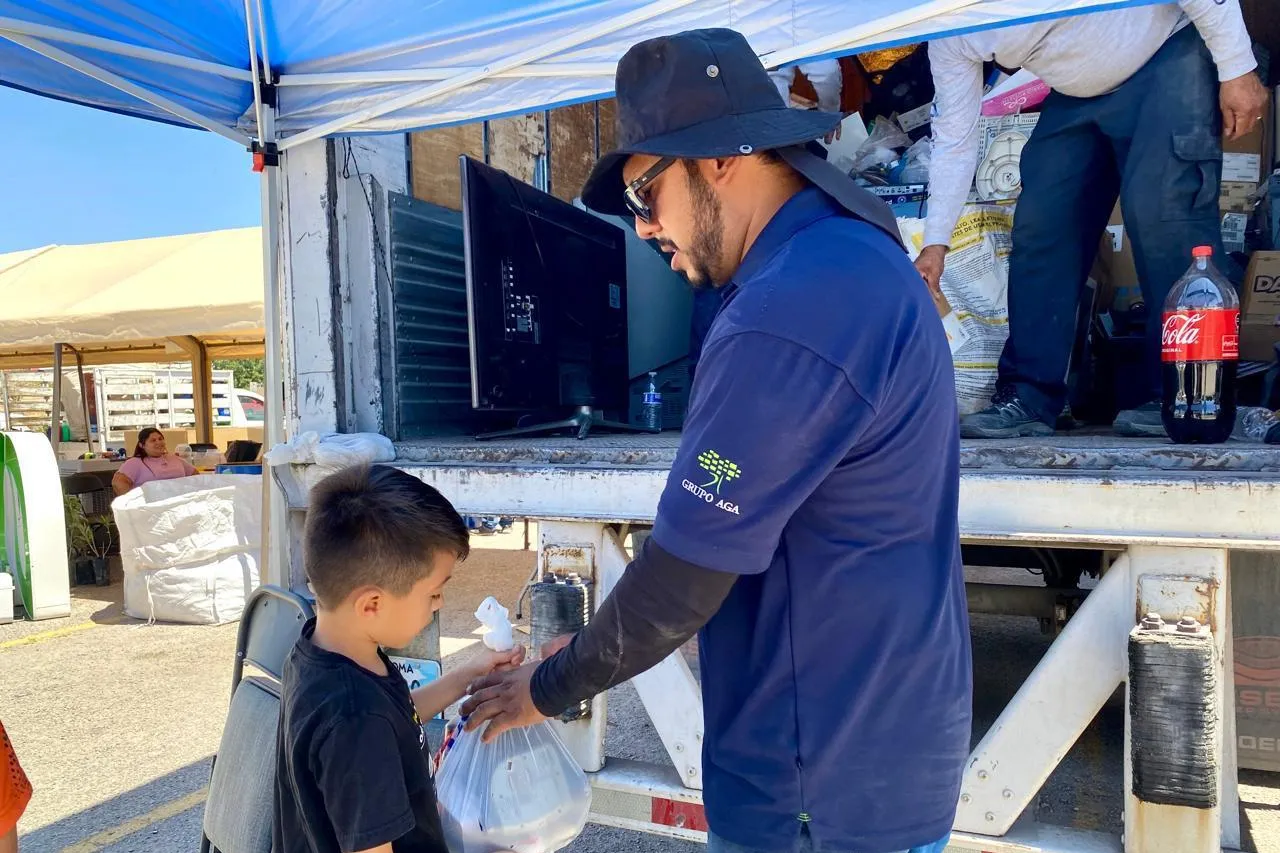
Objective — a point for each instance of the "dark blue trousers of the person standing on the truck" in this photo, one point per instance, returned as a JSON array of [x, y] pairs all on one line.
[[1155, 143]]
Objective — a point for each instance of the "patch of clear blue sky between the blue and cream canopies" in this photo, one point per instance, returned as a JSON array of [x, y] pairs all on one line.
[[75, 175]]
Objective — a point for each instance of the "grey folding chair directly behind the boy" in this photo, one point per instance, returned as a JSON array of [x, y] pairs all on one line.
[[243, 786]]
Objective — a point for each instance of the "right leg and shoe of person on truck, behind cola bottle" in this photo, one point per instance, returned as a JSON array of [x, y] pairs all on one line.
[[1167, 127]]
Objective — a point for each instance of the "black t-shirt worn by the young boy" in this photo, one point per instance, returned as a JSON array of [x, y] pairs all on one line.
[[353, 763]]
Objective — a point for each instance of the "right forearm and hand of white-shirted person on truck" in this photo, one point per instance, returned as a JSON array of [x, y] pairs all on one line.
[[1242, 95]]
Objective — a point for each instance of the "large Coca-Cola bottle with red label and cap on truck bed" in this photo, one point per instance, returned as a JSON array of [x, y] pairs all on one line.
[[1200, 346]]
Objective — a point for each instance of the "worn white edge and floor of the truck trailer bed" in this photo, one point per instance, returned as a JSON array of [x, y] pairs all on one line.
[[1078, 490]]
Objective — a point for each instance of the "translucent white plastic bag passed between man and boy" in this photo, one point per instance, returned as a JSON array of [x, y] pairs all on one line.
[[524, 792]]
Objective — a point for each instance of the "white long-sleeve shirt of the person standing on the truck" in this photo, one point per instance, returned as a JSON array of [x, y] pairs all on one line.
[[1081, 57]]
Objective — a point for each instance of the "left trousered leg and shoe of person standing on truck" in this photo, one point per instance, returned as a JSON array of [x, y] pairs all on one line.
[[1069, 188]]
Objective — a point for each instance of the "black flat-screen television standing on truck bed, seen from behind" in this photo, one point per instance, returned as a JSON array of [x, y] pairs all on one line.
[[547, 300]]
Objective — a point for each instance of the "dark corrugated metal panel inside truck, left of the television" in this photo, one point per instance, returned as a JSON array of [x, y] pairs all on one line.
[[429, 382]]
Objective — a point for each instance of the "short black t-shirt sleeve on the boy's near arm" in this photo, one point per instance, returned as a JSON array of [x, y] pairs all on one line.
[[359, 772]]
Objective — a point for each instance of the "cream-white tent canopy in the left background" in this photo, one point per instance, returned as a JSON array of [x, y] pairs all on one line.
[[124, 302]]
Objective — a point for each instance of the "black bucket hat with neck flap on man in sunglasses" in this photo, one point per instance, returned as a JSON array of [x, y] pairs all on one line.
[[705, 94]]
